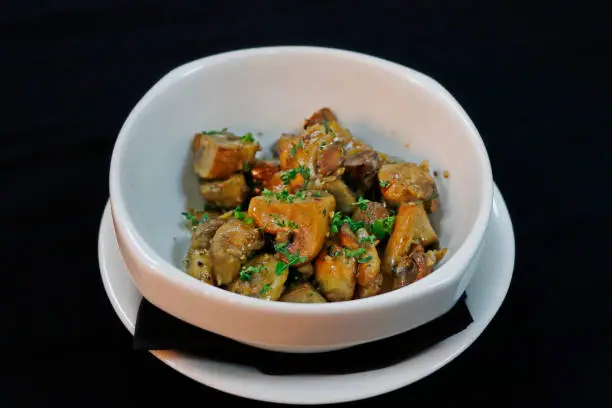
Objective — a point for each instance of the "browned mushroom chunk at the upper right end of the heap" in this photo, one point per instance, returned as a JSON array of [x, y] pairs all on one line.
[[406, 182]]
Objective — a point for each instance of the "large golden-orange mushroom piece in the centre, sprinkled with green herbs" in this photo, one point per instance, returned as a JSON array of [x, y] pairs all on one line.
[[300, 222]]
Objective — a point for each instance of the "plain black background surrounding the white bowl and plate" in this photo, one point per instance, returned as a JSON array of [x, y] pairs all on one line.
[[532, 76]]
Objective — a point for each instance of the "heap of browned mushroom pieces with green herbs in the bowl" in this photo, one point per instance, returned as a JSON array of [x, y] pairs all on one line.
[[326, 219]]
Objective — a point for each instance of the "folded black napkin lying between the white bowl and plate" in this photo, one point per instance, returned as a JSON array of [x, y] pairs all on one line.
[[157, 330]]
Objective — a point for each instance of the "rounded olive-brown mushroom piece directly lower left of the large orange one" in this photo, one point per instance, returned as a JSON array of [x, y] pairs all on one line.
[[231, 245]]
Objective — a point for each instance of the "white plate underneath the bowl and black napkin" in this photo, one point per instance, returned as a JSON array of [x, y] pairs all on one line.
[[485, 295]]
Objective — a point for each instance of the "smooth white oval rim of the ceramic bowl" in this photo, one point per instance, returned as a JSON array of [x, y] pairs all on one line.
[[444, 276]]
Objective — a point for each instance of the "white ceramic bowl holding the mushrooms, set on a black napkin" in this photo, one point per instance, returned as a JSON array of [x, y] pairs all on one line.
[[271, 90]]
